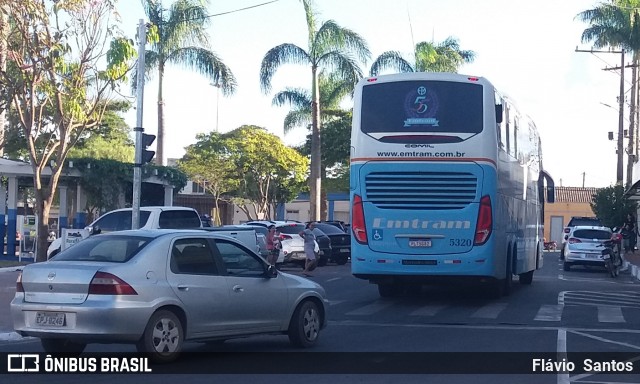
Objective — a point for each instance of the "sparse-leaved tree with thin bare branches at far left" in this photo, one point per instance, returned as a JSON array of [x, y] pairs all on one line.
[[66, 60]]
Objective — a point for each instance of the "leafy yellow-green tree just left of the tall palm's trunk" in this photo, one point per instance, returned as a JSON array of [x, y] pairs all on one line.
[[270, 171]]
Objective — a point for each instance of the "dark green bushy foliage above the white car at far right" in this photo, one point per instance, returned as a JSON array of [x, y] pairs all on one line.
[[610, 205]]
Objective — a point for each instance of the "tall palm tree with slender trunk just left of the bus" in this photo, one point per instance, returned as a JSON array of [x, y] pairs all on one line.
[[330, 46]]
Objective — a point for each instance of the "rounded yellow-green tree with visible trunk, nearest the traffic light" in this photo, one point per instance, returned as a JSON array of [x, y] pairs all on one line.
[[209, 163]]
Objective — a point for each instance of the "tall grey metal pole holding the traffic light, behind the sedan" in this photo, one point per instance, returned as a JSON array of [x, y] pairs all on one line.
[[137, 167]]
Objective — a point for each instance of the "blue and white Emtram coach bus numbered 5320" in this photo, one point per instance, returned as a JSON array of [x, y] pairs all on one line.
[[446, 184]]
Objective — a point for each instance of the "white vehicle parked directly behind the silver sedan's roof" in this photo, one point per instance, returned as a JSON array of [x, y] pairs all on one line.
[[150, 218]]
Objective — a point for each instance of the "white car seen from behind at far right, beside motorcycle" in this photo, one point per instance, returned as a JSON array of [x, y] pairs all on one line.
[[584, 246]]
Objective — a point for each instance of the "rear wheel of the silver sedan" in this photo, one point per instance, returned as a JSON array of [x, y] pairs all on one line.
[[162, 337]]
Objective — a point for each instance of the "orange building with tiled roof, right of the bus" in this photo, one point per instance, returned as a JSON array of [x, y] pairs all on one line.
[[569, 201]]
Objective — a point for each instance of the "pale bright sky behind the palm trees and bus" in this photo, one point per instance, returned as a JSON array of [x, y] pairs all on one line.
[[527, 49]]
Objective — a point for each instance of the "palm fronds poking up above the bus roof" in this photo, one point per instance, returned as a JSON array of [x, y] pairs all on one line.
[[428, 57]]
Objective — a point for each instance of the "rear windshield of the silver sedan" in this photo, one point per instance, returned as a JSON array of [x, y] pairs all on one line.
[[115, 249]]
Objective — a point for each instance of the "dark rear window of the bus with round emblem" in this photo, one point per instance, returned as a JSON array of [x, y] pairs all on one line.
[[422, 107]]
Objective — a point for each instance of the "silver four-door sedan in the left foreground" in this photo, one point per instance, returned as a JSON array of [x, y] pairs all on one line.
[[184, 285]]
